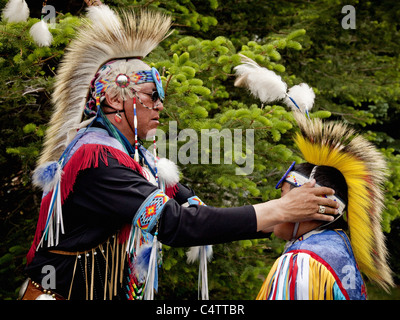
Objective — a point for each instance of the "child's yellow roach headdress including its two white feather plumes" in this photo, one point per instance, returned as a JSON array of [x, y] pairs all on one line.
[[336, 145]]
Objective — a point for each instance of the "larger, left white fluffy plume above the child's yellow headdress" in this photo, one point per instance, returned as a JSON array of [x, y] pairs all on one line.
[[265, 84]]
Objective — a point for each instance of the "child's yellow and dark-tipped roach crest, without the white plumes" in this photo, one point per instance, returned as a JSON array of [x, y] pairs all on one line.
[[364, 168]]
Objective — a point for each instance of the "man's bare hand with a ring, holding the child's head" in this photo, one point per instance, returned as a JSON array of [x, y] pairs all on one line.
[[299, 204]]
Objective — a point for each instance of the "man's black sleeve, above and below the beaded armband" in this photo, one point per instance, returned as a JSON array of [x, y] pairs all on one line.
[[119, 191]]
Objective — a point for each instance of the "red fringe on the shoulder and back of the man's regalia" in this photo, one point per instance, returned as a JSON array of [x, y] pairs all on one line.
[[87, 156]]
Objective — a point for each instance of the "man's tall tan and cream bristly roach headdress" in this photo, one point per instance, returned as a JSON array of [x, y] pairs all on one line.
[[105, 35]]
